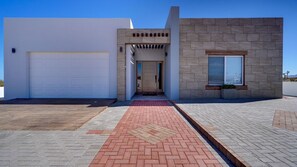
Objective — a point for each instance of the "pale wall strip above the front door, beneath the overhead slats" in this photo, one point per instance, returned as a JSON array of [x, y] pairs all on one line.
[[150, 54]]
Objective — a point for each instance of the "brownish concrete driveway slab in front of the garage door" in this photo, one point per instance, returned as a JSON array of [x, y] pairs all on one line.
[[49, 114]]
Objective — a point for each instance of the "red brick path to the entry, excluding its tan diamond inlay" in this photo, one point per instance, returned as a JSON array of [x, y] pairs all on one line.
[[180, 149]]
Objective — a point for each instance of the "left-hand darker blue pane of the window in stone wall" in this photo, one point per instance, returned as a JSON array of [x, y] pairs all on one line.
[[216, 70]]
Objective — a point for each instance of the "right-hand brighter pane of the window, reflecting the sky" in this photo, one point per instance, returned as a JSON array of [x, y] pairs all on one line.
[[233, 70]]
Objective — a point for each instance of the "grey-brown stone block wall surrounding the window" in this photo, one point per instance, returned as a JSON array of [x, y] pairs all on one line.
[[262, 38]]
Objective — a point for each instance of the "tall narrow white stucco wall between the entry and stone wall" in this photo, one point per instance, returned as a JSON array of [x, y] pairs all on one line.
[[172, 60]]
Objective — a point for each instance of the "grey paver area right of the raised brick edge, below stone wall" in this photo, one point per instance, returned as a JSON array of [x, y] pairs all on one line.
[[260, 132]]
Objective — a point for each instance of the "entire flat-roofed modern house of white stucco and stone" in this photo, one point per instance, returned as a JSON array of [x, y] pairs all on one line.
[[108, 58]]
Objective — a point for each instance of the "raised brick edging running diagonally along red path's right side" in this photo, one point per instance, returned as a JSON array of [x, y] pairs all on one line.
[[233, 157]]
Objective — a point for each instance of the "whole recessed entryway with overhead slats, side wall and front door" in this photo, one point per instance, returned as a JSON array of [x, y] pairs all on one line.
[[146, 70]]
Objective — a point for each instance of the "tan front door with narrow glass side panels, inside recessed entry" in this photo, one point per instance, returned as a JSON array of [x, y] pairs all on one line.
[[149, 77]]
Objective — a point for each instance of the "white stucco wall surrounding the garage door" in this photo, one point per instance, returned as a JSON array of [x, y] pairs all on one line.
[[56, 35]]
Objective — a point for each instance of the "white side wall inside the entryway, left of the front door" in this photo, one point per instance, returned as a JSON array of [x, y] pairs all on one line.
[[130, 73]]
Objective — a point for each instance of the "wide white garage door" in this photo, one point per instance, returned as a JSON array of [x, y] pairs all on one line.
[[69, 75]]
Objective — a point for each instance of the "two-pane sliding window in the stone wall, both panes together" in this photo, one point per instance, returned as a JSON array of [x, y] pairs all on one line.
[[225, 70]]
